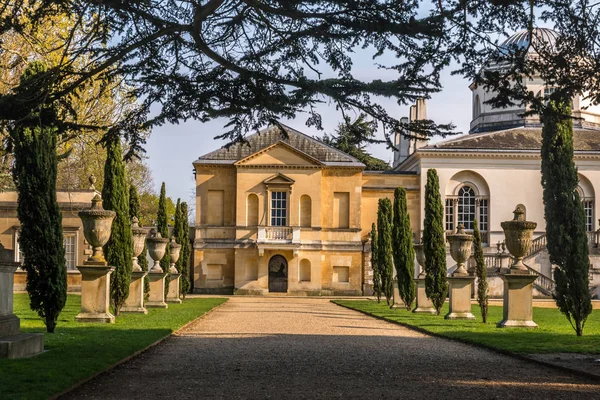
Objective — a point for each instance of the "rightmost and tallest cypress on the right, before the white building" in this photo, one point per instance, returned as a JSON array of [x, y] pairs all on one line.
[[564, 214]]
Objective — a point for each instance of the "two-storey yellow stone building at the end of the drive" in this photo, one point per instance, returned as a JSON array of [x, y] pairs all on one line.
[[285, 213]]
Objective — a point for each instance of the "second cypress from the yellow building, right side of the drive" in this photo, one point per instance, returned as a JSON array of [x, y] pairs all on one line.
[[384, 245]]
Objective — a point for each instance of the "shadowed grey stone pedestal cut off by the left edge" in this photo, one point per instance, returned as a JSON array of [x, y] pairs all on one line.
[[13, 343]]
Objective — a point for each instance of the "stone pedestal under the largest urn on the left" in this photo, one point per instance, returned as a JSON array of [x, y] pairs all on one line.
[[95, 294]]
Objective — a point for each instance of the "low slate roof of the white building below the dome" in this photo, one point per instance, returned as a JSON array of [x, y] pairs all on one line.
[[516, 139]]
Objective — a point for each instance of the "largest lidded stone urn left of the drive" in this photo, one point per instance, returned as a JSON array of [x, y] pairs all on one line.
[[97, 223]]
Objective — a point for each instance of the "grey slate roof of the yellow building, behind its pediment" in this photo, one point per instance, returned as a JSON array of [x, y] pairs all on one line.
[[271, 135]]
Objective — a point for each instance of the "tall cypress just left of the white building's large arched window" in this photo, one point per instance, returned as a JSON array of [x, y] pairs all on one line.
[[434, 246]]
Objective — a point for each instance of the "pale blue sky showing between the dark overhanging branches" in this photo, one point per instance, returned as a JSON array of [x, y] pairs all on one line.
[[171, 149]]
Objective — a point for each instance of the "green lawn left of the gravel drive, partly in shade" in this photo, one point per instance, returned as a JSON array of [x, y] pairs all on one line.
[[78, 350]]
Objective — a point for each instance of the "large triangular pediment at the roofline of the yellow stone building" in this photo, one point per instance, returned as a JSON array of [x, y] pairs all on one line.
[[280, 153]]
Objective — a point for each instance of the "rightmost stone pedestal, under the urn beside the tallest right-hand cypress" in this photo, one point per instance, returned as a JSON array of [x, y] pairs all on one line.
[[518, 299]]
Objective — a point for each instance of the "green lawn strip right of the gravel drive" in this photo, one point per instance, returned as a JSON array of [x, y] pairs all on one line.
[[553, 335]]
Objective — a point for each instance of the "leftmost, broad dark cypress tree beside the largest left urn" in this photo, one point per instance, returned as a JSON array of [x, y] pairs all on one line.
[[34, 140]]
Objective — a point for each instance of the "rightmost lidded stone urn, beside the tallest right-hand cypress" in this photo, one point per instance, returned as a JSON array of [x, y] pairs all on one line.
[[519, 236]]
